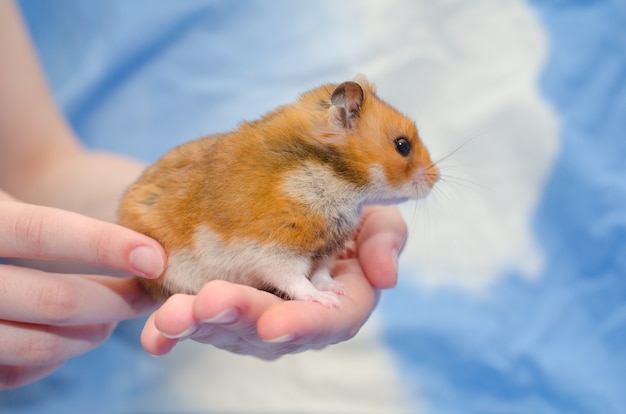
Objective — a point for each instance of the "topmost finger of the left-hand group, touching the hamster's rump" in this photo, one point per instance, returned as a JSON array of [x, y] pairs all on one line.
[[36, 232]]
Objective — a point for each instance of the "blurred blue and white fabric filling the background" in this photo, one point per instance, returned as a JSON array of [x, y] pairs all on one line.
[[512, 292]]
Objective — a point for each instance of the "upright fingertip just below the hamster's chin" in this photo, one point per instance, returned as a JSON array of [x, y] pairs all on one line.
[[381, 238]]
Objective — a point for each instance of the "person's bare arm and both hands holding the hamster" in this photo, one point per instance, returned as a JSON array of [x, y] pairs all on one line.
[[55, 203]]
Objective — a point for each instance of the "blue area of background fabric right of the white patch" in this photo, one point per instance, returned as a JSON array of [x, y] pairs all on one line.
[[558, 344]]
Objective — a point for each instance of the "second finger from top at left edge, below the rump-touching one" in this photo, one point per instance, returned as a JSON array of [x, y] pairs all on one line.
[[33, 296]]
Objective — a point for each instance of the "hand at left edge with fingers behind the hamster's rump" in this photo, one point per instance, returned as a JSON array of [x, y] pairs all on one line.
[[47, 318]]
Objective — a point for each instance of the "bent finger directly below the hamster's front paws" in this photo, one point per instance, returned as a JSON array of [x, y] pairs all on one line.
[[311, 323]]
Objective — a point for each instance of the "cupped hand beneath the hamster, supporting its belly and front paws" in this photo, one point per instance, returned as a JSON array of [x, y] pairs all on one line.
[[244, 320]]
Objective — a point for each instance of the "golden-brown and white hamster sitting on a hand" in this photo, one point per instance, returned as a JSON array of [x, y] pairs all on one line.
[[271, 203]]
